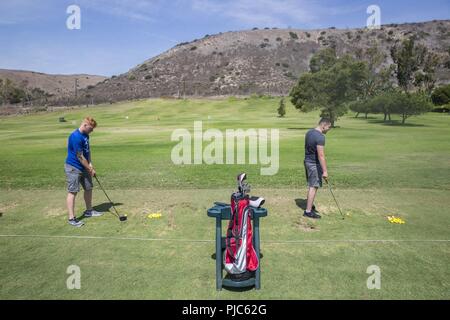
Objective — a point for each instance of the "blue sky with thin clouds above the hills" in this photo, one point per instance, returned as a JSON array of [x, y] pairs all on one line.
[[117, 35]]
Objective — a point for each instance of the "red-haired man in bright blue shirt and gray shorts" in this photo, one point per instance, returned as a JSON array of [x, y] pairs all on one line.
[[79, 170]]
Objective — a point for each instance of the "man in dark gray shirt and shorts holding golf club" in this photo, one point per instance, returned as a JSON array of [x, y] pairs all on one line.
[[315, 164]]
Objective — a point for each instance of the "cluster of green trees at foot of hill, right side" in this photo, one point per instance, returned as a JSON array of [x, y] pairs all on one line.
[[364, 85]]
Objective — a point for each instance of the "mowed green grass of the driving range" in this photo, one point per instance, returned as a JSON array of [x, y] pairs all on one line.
[[377, 170]]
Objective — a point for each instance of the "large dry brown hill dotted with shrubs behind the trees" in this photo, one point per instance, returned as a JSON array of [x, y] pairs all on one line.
[[266, 61]]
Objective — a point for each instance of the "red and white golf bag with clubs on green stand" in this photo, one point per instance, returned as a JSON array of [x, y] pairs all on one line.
[[240, 258]]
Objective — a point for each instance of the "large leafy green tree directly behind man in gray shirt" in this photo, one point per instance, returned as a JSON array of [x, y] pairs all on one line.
[[329, 86]]
